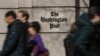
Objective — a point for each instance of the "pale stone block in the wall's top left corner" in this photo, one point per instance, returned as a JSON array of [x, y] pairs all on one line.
[[8, 3]]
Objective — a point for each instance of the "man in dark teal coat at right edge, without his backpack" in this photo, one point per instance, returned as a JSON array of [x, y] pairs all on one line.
[[86, 43]]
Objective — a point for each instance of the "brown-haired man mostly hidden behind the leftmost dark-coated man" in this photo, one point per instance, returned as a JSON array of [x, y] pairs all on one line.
[[23, 16]]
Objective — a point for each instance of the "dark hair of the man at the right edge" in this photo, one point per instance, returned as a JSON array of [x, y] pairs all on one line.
[[92, 11]]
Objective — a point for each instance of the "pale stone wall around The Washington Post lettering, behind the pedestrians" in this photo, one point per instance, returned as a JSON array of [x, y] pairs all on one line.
[[53, 38]]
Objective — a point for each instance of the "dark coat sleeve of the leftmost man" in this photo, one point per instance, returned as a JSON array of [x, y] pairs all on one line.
[[13, 39]]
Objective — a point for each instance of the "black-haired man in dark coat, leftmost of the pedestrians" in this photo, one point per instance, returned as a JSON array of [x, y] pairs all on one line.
[[12, 42]]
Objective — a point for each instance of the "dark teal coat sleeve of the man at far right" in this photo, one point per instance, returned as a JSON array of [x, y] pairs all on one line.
[[82, 40]]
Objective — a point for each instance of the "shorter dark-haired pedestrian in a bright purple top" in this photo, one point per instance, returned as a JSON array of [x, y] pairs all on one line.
[[38, 45]]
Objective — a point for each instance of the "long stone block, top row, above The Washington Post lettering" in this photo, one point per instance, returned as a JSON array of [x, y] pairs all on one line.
[[54, 3]]
